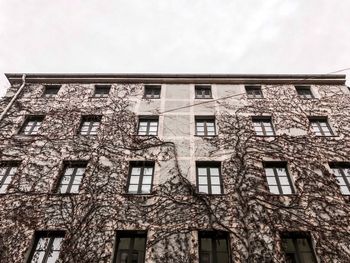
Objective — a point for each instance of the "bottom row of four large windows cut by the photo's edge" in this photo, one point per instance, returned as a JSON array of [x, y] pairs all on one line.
[[213, 247]]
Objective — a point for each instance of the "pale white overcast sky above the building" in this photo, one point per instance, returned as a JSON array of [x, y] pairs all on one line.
[[174, 36]]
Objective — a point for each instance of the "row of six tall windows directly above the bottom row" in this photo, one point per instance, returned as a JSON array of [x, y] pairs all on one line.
[[209, 179]]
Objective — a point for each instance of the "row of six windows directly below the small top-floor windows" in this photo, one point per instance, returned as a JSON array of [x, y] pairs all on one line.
[[205, 125]]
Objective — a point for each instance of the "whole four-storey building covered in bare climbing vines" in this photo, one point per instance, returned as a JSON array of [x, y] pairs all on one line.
[[135, 168]]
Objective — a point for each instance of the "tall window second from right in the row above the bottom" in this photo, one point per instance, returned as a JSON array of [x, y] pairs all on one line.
[[278, 178]]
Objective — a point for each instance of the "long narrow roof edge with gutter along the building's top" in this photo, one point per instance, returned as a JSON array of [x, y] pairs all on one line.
[[338, 79]]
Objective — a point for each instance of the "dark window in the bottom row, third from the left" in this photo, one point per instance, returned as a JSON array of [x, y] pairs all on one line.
[[213, 247]]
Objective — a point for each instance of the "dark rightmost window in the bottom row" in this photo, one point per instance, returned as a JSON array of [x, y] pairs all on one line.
[[297, 248]]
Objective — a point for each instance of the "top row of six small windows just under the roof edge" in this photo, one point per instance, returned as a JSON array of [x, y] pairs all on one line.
[[201, 91]]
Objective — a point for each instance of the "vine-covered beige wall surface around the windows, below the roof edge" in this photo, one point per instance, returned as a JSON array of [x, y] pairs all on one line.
[[174, 211]]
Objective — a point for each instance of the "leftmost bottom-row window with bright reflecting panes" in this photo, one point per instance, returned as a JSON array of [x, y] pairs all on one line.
[[47, 247]]
